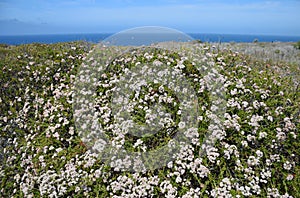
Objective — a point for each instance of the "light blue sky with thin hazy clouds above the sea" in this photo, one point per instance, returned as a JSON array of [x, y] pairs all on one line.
[[258, 17]]
